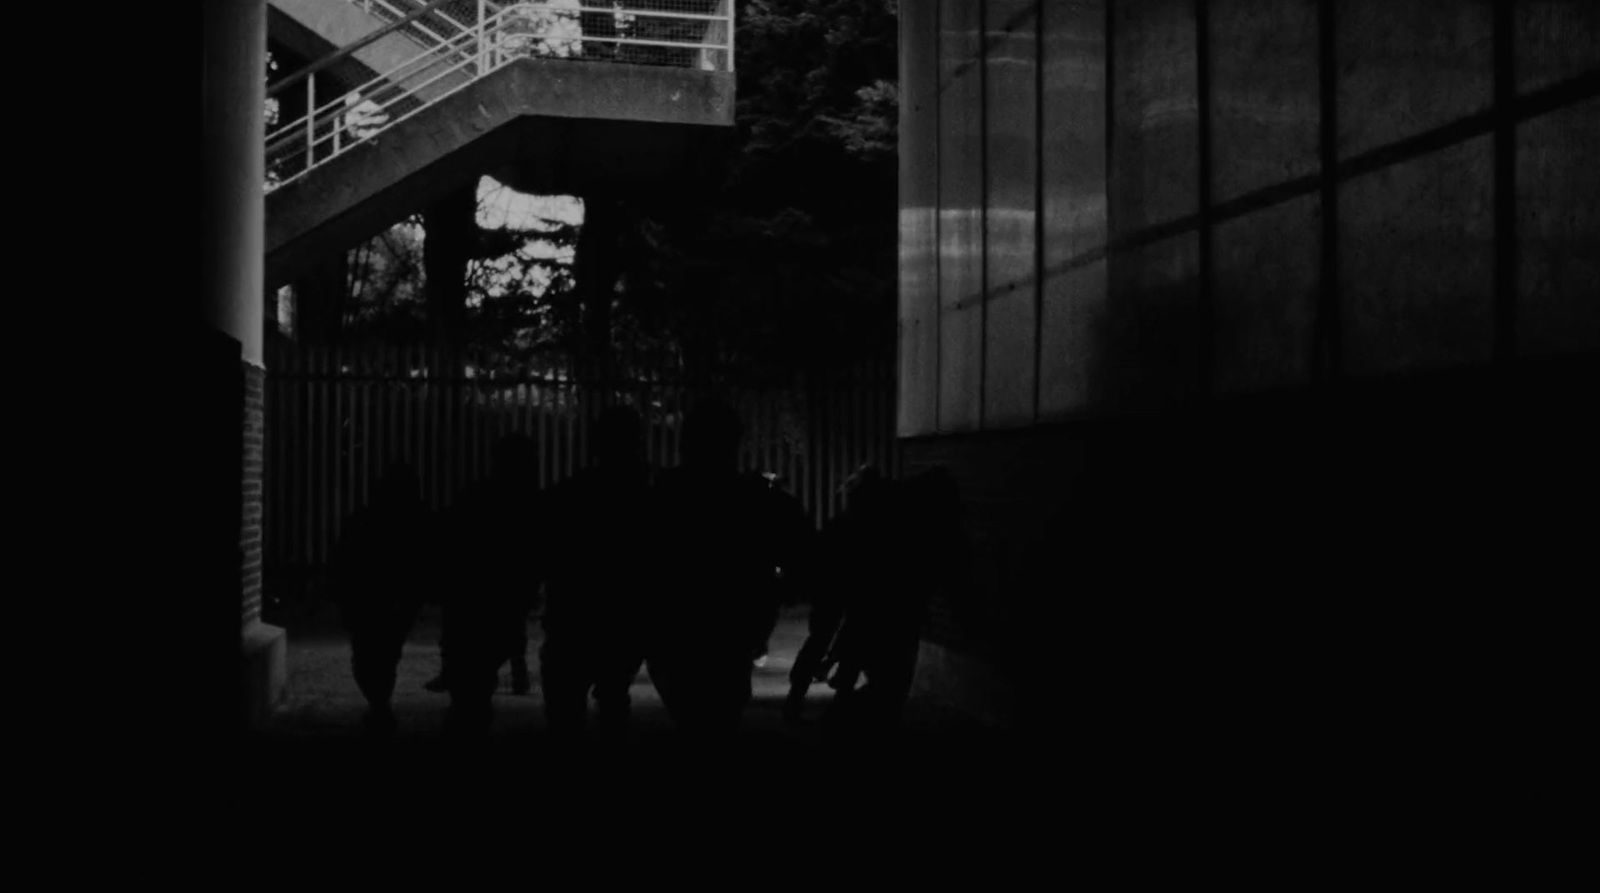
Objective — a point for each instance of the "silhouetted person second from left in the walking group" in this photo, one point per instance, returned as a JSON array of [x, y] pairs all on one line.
[[494, 585]]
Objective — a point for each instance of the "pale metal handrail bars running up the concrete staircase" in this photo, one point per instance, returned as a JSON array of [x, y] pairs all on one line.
[[495, 42]]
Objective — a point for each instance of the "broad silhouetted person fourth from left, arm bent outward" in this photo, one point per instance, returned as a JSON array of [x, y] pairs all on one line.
[[722, 535]]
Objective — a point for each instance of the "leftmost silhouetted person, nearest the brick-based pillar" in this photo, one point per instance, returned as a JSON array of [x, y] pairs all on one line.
[[382, 575]]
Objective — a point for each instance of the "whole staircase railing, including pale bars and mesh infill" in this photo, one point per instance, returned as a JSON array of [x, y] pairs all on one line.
[[460, 42]]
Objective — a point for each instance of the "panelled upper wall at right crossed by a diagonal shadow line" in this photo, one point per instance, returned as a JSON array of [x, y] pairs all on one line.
[[1124, 225]]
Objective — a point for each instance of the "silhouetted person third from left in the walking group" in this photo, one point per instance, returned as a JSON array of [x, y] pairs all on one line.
[[598, 535]]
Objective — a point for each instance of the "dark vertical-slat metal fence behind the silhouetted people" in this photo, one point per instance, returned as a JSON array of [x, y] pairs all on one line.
[[335, 418]]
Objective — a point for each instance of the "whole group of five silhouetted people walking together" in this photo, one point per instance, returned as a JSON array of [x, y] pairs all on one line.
[[681, 572]]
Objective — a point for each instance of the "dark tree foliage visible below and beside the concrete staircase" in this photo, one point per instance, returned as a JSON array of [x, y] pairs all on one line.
[[793, 257]]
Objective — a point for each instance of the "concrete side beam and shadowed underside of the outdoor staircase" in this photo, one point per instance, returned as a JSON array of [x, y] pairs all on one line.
[[540, 126]]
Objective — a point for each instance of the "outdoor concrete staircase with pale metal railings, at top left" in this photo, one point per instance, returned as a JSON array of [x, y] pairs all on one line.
[[516, 95]]
